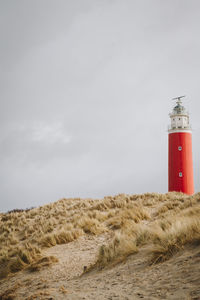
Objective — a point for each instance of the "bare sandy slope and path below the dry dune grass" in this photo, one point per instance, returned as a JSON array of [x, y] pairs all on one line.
[[177, 278]]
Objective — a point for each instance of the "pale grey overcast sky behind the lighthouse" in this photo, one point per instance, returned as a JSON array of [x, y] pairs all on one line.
[[85, 93]]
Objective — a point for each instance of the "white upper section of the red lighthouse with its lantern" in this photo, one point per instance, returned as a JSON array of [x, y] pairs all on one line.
[[179, 118]]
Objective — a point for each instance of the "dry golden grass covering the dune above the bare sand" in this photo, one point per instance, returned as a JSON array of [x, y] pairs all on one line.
[[133, 220]]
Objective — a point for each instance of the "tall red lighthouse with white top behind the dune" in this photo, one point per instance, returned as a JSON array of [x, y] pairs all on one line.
[[180, 164]]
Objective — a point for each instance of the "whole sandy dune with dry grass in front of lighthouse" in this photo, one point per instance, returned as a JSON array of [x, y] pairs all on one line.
[[123, 247]]
